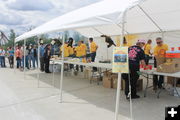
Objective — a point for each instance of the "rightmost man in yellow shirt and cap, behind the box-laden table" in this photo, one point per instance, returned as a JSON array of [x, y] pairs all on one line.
[[159, 52]]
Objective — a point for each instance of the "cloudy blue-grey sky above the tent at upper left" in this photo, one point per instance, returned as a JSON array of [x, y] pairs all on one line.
[[21, 15]]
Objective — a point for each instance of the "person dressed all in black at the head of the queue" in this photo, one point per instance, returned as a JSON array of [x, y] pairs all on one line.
[[47, 56]]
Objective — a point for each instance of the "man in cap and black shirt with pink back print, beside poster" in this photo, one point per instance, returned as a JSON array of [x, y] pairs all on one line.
[[136, 56]]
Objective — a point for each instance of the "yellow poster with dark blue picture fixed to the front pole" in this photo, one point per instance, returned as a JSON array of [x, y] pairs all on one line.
[[120, 60]]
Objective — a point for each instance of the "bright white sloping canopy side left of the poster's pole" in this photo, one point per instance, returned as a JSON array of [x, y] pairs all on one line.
[[92, 20]]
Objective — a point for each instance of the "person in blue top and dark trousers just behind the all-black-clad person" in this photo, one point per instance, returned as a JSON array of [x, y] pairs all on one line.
[[42, 57]]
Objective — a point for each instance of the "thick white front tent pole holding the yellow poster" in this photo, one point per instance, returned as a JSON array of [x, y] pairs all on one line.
[[118, 93]]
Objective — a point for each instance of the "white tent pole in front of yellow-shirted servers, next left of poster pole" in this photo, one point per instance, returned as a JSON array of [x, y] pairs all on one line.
[[62, 70]]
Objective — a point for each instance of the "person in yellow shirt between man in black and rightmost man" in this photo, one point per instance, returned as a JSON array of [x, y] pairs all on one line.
[[147, 51]]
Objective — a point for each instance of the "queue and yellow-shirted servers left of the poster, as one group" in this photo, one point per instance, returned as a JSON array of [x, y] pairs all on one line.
[[28, 55]]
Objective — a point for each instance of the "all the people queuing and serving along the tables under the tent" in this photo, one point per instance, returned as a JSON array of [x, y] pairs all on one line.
[[140, 53]]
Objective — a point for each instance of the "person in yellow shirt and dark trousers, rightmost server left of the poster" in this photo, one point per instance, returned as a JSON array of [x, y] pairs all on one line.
[[93, 49]]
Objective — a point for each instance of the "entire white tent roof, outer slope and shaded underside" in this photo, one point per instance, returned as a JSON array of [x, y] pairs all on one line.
[[105, 18]]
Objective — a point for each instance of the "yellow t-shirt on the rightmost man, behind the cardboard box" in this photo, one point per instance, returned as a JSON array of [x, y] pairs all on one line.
[[160, 51]]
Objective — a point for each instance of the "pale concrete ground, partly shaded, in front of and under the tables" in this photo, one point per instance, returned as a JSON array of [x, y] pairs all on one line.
[[22, 99]]
